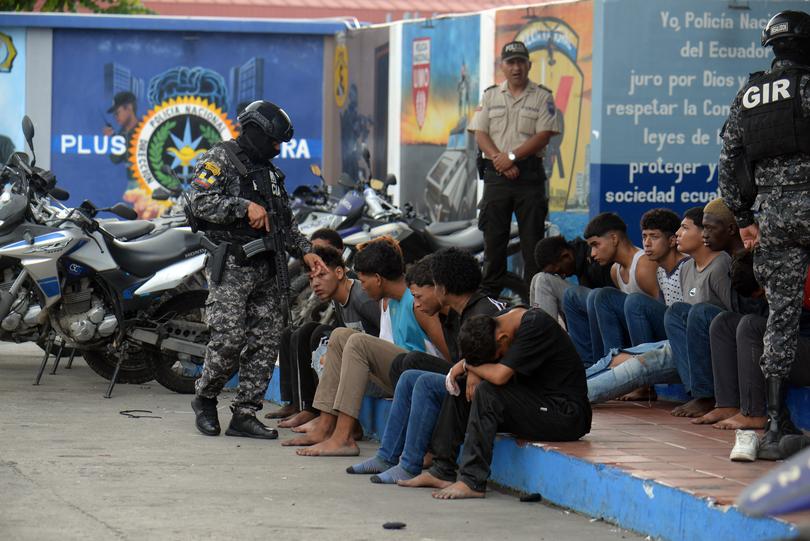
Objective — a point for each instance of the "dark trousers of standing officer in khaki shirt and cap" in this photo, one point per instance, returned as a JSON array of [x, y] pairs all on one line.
[[527, 199]]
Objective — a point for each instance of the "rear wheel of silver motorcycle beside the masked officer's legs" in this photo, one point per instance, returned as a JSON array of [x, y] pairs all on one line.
[[176, 371]]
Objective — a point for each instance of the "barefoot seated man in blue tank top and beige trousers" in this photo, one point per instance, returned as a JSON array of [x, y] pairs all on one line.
[[352, 358]]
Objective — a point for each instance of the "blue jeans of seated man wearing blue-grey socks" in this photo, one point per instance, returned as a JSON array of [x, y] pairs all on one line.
[[418, 398]]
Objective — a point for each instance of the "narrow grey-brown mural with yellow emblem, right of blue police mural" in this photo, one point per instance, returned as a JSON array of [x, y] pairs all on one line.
[[359, 105]]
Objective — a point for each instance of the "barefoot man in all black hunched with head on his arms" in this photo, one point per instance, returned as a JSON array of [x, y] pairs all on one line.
[[533, 385]]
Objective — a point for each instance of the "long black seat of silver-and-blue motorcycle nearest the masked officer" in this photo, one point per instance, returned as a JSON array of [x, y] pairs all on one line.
[[145, 257]]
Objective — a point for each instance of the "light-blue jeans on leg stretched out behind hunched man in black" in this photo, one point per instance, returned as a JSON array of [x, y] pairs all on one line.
[[651, 363]]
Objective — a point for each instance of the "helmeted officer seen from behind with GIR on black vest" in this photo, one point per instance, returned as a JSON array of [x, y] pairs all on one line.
[[764, 178]]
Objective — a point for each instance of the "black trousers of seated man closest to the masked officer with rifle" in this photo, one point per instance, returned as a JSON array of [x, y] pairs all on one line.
[[298, 380]]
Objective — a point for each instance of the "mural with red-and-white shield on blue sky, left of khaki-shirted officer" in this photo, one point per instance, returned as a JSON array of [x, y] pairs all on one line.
[[440, 89]]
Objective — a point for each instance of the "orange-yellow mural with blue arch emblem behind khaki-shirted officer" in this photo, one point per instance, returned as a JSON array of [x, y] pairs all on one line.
[[559, 39]]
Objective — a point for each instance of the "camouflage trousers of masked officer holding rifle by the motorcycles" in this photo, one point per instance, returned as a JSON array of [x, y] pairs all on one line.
[[245, 321]]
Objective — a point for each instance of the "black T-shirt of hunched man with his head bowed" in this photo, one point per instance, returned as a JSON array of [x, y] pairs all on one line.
[[543, 358]]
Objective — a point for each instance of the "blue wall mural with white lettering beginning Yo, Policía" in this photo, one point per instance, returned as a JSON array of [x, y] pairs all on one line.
[[661, 111]]
